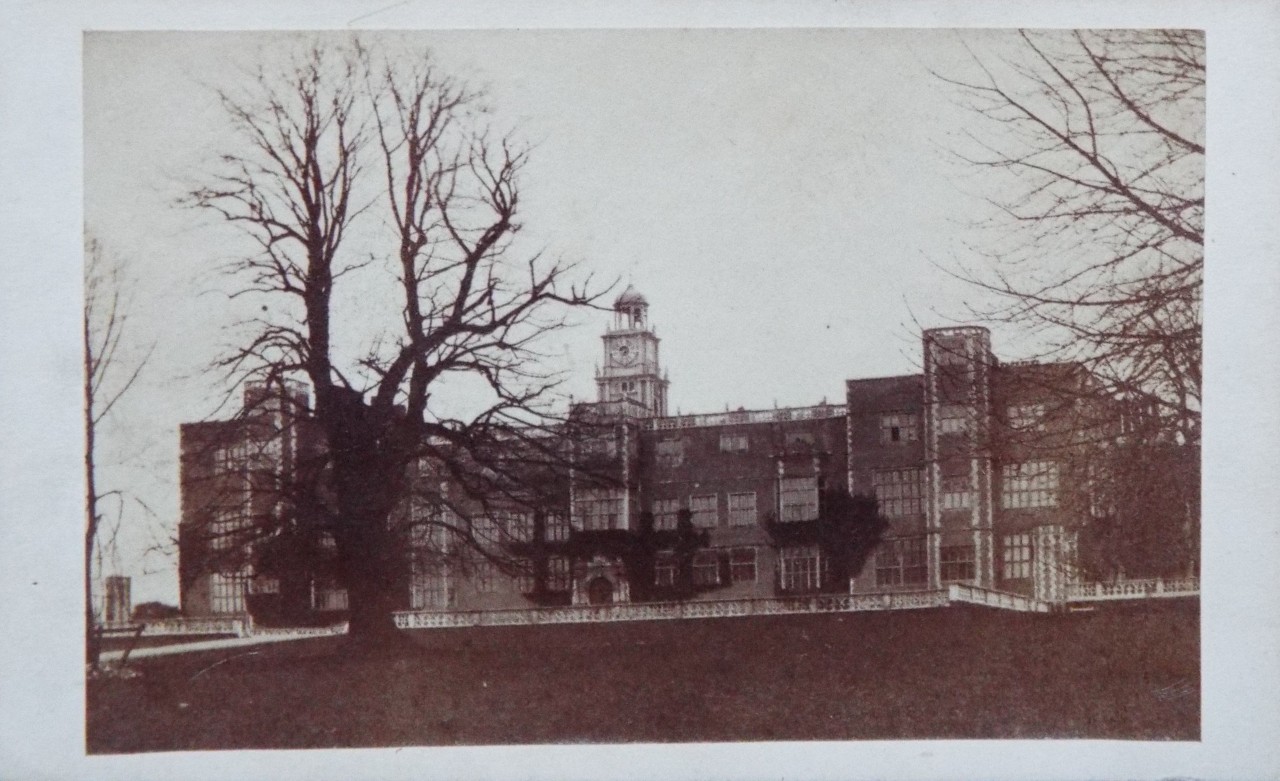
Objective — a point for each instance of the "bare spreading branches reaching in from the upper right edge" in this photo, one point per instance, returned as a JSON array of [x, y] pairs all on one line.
[[1094, 148]]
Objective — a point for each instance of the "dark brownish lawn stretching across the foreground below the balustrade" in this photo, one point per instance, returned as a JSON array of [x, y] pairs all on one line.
[[1122, 673]]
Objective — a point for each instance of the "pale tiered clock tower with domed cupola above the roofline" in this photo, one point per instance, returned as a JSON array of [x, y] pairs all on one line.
[[630, 371]]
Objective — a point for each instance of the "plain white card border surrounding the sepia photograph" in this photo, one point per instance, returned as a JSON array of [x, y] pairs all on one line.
[[42, 691]]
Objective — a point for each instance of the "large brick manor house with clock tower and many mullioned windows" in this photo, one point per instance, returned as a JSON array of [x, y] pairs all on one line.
[[972, 463]]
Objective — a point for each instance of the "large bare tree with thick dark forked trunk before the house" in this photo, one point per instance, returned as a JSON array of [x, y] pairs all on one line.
[[341, 138]]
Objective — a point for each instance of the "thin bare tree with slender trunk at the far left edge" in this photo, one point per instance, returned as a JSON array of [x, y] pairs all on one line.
[[108, 377]]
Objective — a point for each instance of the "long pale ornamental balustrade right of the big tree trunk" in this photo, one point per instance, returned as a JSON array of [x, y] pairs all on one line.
[[716, 609]]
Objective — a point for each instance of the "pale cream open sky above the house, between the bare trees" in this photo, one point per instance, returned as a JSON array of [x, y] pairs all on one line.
[[787, 200]]
